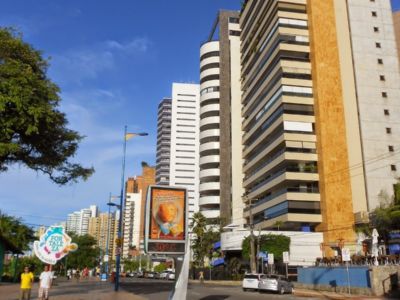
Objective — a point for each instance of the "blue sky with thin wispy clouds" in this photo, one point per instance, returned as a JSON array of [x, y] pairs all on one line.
[[114, 61]]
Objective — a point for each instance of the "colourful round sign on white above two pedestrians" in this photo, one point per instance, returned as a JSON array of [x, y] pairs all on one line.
[[53, 245]]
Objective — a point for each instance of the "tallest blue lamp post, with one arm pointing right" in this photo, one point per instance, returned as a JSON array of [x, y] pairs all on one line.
[[127, 136]]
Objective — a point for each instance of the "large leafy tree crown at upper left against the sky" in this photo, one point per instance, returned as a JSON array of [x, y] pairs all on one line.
[[33, 131]]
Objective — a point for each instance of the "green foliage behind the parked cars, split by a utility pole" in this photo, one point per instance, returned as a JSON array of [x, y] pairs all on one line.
[[271, 243]]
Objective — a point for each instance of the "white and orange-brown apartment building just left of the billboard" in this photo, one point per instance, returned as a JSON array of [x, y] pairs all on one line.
[[135, 203]]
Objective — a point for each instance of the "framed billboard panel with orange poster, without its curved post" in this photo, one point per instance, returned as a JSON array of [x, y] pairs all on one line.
[[166, 220]]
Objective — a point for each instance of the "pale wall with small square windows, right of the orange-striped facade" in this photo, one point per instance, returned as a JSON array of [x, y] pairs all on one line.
[[377, 80]]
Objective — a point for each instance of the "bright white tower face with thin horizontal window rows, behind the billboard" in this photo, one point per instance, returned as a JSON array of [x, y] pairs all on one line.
[[184, 160]]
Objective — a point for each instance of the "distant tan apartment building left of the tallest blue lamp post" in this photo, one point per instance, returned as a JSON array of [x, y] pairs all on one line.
[[105, 227]]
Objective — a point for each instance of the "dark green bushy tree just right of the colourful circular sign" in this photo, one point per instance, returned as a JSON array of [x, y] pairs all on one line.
[[87, 254]]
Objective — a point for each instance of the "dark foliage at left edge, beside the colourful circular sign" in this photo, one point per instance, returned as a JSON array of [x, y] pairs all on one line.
[[16, 232]]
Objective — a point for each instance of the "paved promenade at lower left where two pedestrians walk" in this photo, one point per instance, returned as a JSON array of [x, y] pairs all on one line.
[[72, 290]]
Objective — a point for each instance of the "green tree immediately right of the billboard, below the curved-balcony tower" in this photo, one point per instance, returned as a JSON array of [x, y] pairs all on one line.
[[206, 234]]
